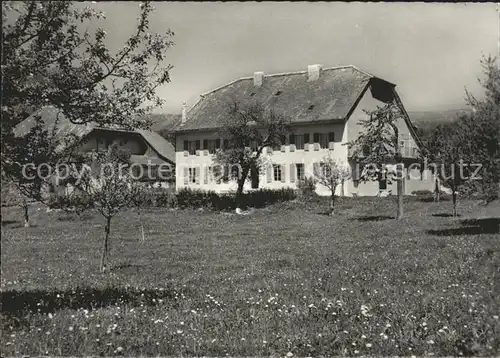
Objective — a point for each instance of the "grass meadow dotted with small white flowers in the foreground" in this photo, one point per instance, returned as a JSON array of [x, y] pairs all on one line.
[[286, 280]]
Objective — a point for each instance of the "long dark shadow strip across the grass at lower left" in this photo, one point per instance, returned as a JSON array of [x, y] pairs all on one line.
[[17, 303]]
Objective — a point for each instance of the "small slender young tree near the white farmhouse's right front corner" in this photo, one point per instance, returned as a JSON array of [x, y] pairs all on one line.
[[331, 173]]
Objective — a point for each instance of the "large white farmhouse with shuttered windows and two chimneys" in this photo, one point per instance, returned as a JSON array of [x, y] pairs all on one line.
[[324, 106]]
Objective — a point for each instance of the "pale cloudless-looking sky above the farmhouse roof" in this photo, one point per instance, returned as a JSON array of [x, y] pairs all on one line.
[[431, 51]]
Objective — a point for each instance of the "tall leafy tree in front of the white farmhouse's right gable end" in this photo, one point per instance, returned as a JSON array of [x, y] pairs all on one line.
[[378, 145]]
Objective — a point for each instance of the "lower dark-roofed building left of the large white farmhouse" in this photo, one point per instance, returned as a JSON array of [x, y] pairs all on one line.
[[148, 149]]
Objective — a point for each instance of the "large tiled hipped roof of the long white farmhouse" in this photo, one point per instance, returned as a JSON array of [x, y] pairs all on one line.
[[331, 97]]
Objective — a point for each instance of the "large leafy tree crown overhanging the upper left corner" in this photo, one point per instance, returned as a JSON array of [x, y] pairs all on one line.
[[51, 58]]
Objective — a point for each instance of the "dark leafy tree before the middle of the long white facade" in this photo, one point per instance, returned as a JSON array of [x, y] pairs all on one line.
[[247, 131]]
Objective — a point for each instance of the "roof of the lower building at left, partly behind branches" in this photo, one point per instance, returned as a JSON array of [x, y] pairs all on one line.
[[57, 123]]
